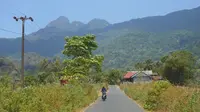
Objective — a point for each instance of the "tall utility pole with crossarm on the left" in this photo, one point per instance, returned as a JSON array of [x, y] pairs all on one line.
[[23, 19]]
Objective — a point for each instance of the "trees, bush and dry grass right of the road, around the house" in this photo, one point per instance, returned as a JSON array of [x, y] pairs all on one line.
[[178, 92]]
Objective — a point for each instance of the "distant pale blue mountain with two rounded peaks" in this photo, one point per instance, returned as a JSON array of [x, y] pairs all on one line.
[[62, 27]]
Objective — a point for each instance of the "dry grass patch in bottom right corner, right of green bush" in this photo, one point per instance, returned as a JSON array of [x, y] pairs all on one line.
[[176, 99]]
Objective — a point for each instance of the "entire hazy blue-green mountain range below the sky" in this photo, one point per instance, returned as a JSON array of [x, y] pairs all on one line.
[[121, 43]]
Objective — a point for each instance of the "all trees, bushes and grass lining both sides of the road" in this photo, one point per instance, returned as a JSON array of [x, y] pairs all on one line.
[[83, 78]]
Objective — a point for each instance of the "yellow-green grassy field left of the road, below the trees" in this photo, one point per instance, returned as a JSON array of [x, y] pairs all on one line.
[[48, 98]]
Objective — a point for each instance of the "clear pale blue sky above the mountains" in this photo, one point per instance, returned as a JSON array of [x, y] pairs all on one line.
[[114, 11]]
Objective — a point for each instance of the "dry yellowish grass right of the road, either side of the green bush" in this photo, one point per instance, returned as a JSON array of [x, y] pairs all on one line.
[[173, 99]]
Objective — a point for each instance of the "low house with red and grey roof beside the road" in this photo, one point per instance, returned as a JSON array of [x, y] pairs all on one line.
[[138, 76]]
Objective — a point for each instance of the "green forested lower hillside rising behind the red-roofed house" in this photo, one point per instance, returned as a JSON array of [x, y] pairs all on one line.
[[125, 51]]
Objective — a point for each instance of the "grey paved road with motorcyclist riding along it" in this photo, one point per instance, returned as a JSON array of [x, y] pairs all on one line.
[[116, 101]]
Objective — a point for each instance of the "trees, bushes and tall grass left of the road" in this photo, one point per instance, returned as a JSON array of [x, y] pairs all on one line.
[[43, 91]]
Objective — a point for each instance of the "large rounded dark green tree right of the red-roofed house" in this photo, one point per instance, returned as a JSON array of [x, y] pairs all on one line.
[[178, 66]]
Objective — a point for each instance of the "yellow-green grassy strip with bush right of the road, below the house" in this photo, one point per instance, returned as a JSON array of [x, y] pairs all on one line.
[[162, 96]]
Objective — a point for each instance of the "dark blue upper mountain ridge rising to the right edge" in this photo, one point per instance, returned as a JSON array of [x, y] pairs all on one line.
[[179, 20]]
